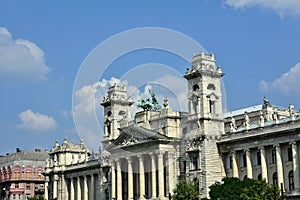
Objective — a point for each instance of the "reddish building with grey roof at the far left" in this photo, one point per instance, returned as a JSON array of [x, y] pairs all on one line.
[[21, 174]]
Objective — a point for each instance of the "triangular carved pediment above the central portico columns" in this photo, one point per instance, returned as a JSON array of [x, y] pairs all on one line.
[[135, 134]]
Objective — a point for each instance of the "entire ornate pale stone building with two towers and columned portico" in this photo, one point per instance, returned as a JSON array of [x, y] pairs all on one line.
[[145, 157]]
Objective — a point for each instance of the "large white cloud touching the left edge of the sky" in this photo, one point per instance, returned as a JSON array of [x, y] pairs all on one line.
[[21, 59]]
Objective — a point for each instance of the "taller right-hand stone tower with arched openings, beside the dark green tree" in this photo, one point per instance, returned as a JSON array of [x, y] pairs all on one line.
[[205, 121]]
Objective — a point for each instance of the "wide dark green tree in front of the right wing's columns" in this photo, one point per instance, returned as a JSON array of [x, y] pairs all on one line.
[[248, 189]]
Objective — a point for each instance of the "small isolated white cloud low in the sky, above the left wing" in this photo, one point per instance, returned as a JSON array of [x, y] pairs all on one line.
[[36, 121]]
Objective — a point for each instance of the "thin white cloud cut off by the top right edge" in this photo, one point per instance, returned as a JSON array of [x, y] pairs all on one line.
[[281, 7]]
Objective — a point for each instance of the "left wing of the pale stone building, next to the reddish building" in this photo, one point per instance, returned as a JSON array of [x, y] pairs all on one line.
[[72, 172]]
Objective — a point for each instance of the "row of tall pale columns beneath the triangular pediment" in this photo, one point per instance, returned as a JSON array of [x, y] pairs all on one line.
[[143, 176]]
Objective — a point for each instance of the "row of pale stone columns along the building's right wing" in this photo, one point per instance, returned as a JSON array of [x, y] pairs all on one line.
[[278, 158]]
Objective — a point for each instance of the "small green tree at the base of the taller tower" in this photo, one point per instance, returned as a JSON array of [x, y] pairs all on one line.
[[186, 190]]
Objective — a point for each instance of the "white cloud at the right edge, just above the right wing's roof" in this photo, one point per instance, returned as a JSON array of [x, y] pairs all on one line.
[[287, 83]]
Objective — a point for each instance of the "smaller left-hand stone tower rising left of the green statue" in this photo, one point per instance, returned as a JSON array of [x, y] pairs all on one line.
[[116, 112]]
